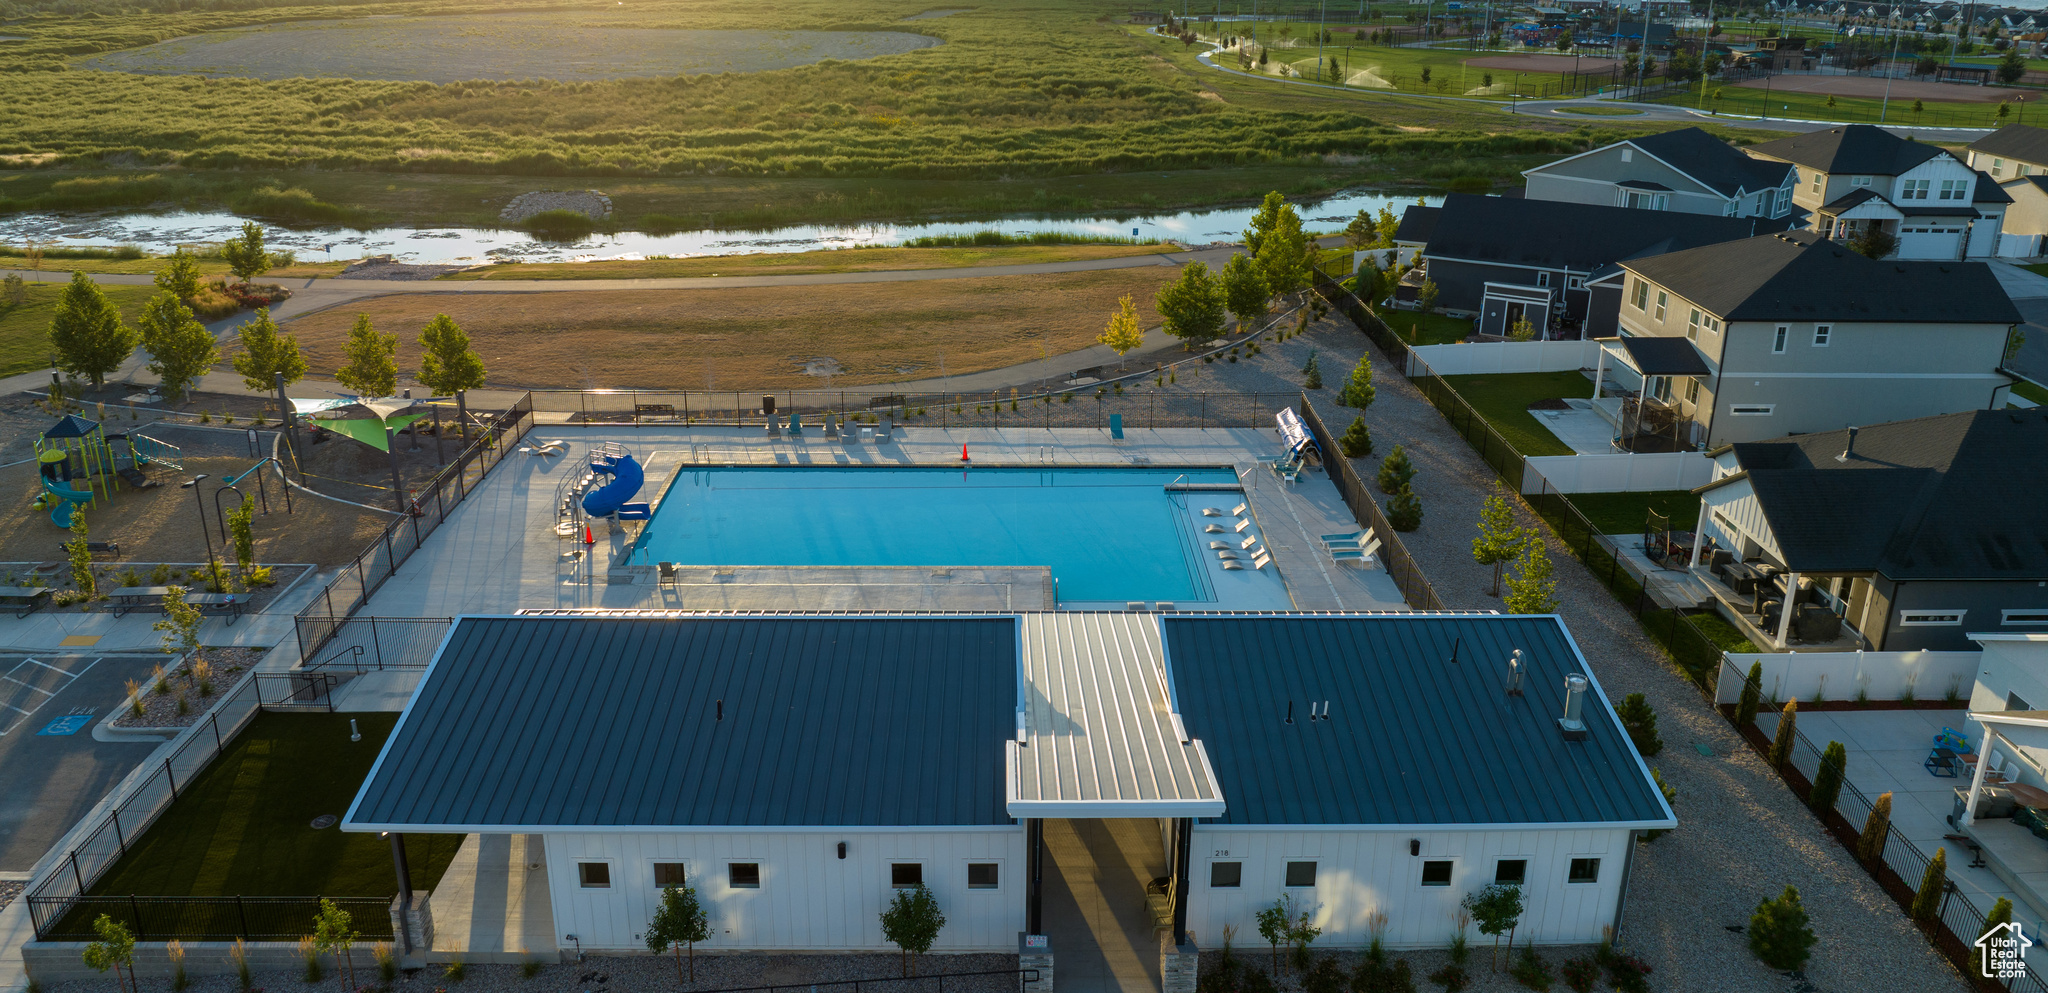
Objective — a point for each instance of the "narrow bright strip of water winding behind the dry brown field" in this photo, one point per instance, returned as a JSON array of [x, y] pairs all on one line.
[[163, 232]]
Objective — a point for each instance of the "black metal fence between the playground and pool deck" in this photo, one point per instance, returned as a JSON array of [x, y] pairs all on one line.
[[429, 507]]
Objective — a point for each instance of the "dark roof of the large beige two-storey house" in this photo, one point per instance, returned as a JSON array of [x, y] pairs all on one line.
[[1801, 277]]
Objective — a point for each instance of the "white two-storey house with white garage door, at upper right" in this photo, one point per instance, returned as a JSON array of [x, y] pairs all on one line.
[[1857, 177]]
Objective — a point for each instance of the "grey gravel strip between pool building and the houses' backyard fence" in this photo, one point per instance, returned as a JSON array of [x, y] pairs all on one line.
[[1742, 834]]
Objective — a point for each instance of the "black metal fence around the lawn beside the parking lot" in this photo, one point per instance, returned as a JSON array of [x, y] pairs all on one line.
[[58, 904]]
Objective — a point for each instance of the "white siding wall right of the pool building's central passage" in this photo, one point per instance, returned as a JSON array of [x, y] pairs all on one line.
[[1361, 873]]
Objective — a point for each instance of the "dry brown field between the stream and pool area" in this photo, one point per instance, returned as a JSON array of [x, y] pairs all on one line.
[[757, 339]]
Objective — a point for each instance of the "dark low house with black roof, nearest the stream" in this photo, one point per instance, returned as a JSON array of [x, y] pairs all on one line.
[[1506, 259]]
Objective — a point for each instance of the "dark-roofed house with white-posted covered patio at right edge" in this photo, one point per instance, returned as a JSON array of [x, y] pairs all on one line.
[[1918, 535]]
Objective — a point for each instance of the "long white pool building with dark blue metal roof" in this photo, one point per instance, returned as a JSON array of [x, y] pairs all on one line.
[[802, 771]]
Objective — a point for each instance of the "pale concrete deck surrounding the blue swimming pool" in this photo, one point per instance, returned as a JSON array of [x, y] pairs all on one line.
[[501, 554]]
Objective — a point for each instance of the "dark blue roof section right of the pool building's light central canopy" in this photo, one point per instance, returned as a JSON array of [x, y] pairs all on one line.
[[1412, 738]]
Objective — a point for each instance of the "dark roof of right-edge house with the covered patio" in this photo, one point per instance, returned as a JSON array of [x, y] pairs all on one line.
[[1930, 499]]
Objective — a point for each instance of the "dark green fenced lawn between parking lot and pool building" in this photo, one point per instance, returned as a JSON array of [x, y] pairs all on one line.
[[245, 824]]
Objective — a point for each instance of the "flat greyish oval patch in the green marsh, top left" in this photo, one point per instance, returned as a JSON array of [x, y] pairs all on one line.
[[493, 48]]
